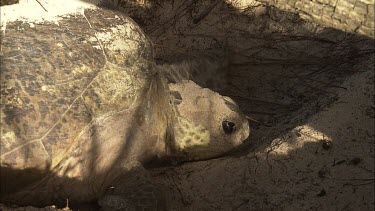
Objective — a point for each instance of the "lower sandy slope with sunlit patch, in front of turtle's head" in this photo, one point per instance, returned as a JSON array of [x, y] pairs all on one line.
[[324, 163]]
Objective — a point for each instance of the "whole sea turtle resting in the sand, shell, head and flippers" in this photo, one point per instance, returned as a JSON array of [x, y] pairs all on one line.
[[84, 107]]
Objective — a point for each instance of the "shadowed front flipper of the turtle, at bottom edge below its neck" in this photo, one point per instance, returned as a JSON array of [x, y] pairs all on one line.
[[133, 191]]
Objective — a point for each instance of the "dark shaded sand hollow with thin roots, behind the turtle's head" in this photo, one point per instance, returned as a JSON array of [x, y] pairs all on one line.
[[278, 66]]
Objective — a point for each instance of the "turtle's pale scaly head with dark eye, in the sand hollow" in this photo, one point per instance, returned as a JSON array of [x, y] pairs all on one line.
[[205, 124]]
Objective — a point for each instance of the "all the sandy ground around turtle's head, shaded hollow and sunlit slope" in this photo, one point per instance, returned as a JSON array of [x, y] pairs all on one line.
[[310, 88]]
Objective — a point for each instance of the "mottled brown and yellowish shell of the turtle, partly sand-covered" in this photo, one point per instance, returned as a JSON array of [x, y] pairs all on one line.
[[58, 78]]
